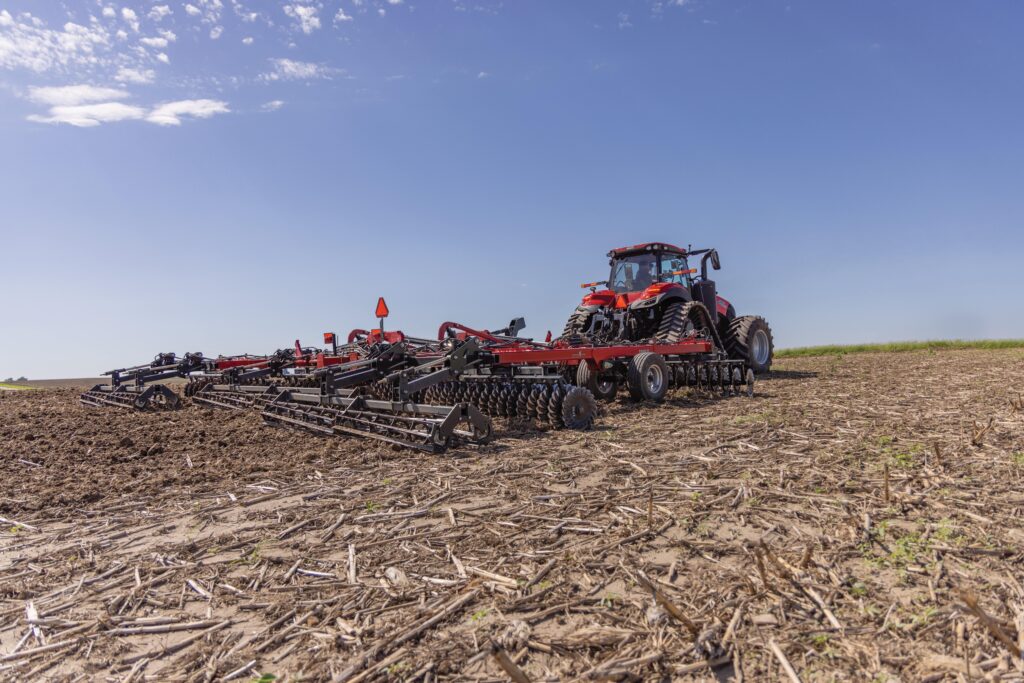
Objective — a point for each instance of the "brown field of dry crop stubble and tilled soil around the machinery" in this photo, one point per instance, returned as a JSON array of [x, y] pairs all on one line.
[[860, 520]]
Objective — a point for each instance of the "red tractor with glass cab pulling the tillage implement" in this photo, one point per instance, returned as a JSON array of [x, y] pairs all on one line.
[[654, 294]]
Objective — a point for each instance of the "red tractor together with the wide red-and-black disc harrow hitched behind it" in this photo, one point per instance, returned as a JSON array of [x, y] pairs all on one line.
[[656, 327]]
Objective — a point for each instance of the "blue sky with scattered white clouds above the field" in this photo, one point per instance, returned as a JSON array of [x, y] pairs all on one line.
[[227, 177]]
